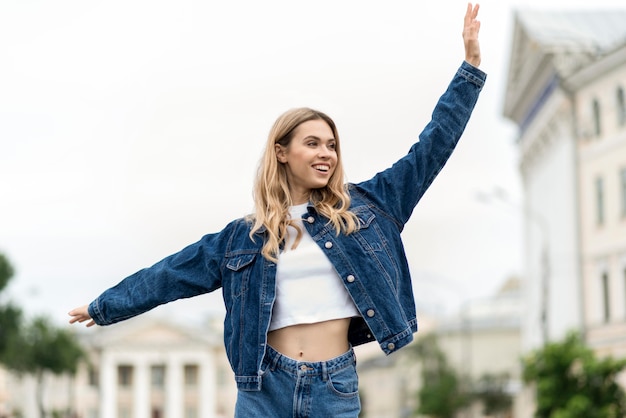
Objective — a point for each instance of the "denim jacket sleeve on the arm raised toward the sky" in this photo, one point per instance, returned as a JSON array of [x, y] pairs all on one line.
[[397, 189]]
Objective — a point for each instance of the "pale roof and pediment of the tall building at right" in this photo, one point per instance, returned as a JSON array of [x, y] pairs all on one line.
[[549, 46]]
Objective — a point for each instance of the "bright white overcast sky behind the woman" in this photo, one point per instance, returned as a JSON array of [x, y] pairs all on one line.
[[128, 129]]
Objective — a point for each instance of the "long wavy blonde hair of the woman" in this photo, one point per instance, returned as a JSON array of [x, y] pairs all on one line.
[[271, 189]]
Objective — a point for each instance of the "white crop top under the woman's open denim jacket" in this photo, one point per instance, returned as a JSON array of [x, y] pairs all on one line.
[[308, 289]]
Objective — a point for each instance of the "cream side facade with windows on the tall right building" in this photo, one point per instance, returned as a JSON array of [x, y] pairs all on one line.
[[601, 110]]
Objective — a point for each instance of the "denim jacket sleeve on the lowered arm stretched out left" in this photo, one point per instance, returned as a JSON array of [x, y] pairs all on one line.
[[192, 271]]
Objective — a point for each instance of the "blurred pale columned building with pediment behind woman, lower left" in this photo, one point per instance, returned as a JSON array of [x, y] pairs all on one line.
[[146, 367]]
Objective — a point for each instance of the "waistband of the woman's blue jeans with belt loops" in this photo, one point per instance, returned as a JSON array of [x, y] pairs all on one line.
[[277, 360]]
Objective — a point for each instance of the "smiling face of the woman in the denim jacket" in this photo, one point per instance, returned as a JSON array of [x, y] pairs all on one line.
[[310, 158]]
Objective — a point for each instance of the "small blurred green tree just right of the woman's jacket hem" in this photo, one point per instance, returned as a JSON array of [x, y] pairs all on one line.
[[442, 392]]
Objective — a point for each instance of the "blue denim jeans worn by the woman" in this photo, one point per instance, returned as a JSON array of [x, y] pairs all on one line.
[[301, 389]]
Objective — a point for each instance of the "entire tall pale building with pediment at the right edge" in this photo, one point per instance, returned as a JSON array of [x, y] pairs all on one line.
[[565, 92]]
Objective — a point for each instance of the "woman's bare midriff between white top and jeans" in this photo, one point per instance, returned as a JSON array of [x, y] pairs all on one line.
[[312, 342]]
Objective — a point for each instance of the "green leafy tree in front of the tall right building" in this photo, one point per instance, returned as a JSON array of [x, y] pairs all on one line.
[[571, 382]]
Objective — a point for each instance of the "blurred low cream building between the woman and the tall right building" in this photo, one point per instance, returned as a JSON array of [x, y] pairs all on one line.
[[483, 338]]
